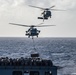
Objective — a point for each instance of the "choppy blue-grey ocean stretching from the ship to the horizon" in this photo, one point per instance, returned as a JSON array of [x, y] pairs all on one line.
[[62, 51]]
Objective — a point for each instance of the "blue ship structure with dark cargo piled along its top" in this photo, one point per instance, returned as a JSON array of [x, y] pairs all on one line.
[[33, 65]]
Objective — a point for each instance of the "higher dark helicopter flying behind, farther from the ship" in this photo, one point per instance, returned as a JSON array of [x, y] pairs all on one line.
[[46, 12]]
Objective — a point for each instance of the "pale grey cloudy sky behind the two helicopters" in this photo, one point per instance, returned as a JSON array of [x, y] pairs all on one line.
[[18, 11]]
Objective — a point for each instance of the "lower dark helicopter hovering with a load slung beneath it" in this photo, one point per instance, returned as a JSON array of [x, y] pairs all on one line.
[[32, 31]]
